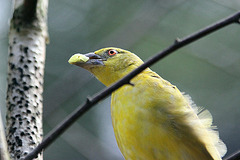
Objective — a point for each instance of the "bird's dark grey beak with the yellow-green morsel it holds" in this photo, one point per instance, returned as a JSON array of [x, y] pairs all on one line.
[[89, 59]]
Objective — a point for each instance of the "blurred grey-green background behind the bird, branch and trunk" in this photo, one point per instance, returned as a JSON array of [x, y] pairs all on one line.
[[208, 70]]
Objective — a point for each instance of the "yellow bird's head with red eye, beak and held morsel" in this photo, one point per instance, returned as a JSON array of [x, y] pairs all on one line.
[[107, 64]]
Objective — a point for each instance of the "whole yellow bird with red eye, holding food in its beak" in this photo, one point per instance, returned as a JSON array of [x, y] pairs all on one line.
[[152, 119]]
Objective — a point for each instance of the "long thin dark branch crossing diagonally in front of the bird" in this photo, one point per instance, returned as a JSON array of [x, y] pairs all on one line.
[[69, 120]]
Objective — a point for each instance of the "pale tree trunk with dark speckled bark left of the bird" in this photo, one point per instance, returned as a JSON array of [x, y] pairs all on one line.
[[27, 43]]
